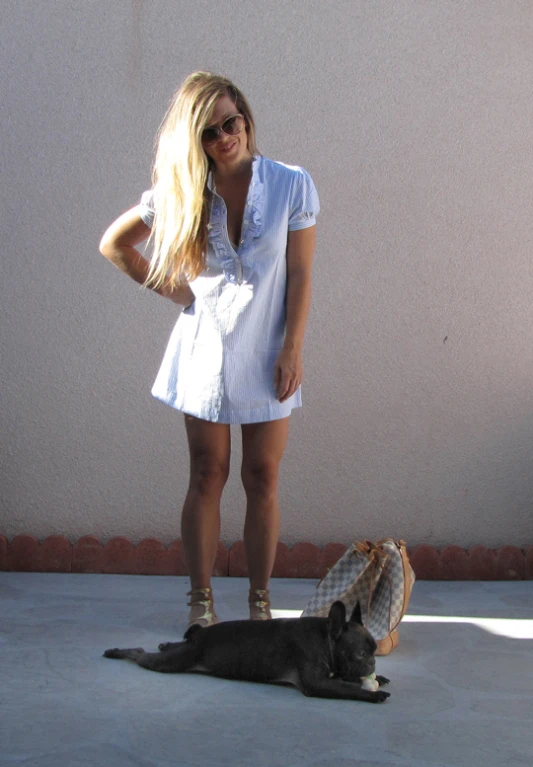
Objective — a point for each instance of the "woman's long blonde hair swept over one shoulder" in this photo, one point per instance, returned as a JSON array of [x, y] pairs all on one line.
[[181, 168]]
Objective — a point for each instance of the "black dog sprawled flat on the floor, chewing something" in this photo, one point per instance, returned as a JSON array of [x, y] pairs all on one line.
[[323, 657]]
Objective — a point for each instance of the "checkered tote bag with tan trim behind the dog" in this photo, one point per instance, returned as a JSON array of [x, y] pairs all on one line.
[[379, 577]]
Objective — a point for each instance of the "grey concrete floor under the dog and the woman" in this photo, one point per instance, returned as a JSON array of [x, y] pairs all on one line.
[[461, 682]]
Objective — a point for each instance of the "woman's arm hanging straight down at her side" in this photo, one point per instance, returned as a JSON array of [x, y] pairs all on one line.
[[288, 370]]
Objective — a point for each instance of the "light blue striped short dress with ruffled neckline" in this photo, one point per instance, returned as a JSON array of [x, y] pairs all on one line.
[[219, 362]]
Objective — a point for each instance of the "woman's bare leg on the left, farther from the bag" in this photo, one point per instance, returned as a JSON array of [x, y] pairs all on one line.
[[209, 449]]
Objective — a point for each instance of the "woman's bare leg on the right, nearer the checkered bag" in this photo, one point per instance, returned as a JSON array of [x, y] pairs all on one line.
[[263, 445]]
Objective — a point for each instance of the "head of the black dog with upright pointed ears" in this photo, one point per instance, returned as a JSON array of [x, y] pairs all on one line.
[[353, 647]]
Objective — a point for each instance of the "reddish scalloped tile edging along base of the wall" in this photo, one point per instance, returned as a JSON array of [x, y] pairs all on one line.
[[56, 554]]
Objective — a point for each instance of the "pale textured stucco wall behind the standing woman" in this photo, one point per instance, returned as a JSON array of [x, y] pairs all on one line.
[[415, 121]]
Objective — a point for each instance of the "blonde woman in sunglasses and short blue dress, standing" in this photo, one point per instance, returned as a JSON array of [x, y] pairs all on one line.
[[233, 237]]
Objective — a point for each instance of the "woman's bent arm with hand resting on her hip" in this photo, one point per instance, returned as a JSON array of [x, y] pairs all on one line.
[[118, 246]]
